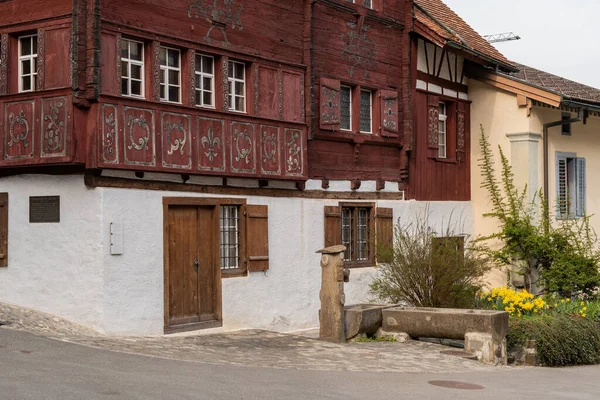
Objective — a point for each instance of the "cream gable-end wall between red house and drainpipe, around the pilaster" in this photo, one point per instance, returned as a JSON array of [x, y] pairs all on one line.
[[497, 112]]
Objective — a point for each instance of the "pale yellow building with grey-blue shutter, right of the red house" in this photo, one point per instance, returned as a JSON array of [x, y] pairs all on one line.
[[549, 128]]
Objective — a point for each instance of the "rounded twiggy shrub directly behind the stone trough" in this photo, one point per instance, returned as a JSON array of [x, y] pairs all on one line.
[[427, 269]]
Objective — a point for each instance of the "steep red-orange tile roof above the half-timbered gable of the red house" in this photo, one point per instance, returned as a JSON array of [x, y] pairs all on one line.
[[438, 17]]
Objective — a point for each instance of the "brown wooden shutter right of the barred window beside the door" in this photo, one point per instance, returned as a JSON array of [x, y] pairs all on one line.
[[257, 237]]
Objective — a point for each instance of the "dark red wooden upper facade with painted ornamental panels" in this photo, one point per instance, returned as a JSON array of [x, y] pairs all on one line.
[[296, 55]]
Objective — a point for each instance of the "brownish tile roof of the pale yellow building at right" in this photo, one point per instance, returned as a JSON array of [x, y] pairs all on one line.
[[556, 84]]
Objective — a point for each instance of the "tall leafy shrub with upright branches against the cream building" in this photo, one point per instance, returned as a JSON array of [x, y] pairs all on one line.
[[564, 254]]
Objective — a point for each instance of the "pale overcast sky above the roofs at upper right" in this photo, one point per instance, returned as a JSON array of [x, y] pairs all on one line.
[[557, 36]]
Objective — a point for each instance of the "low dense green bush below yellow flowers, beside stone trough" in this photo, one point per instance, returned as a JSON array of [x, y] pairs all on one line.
[[560, 341]]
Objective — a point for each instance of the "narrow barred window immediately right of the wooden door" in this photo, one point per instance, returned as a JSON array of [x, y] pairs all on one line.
[[230, 237]]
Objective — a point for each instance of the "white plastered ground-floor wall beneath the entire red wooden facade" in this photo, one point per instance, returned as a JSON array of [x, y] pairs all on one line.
[[70, 271]]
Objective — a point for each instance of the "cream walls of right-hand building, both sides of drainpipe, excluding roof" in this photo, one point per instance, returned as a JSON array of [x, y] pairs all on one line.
[[502, 119]]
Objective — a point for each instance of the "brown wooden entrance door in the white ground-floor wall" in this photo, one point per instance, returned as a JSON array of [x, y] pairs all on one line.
[[193, 293]]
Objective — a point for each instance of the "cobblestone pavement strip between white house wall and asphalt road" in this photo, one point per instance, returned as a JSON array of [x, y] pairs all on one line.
[[253, 348]]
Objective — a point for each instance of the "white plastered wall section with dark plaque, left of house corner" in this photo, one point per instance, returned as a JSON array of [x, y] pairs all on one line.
[[56, 268]]
